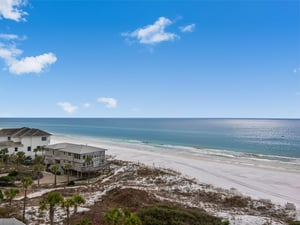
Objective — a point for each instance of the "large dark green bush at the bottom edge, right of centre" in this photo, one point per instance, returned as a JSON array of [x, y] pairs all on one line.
[[165, 215]]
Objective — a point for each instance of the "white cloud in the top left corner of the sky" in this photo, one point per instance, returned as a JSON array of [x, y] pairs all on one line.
[[11, 9]]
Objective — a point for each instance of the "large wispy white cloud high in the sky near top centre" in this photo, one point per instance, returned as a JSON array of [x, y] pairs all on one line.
[[154, 33]]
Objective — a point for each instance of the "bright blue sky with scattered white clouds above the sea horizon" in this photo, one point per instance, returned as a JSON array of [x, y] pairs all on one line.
[[161, 58]]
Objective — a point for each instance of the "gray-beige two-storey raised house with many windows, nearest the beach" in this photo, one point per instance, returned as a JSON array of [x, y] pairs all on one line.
[[82, 158]]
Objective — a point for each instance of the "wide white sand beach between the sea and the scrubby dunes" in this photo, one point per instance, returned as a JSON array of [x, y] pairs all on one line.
[[258, 179]]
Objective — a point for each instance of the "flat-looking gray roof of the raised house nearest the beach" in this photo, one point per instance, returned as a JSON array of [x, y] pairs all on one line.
[[73, 148]]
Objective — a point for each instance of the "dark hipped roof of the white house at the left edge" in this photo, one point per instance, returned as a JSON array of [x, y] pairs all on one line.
[[22, 132]]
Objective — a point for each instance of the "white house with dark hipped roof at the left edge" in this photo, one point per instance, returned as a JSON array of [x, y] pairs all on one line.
[[23, 139]]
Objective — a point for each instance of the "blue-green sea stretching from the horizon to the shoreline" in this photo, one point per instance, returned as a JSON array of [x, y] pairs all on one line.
[[279, 137]]
